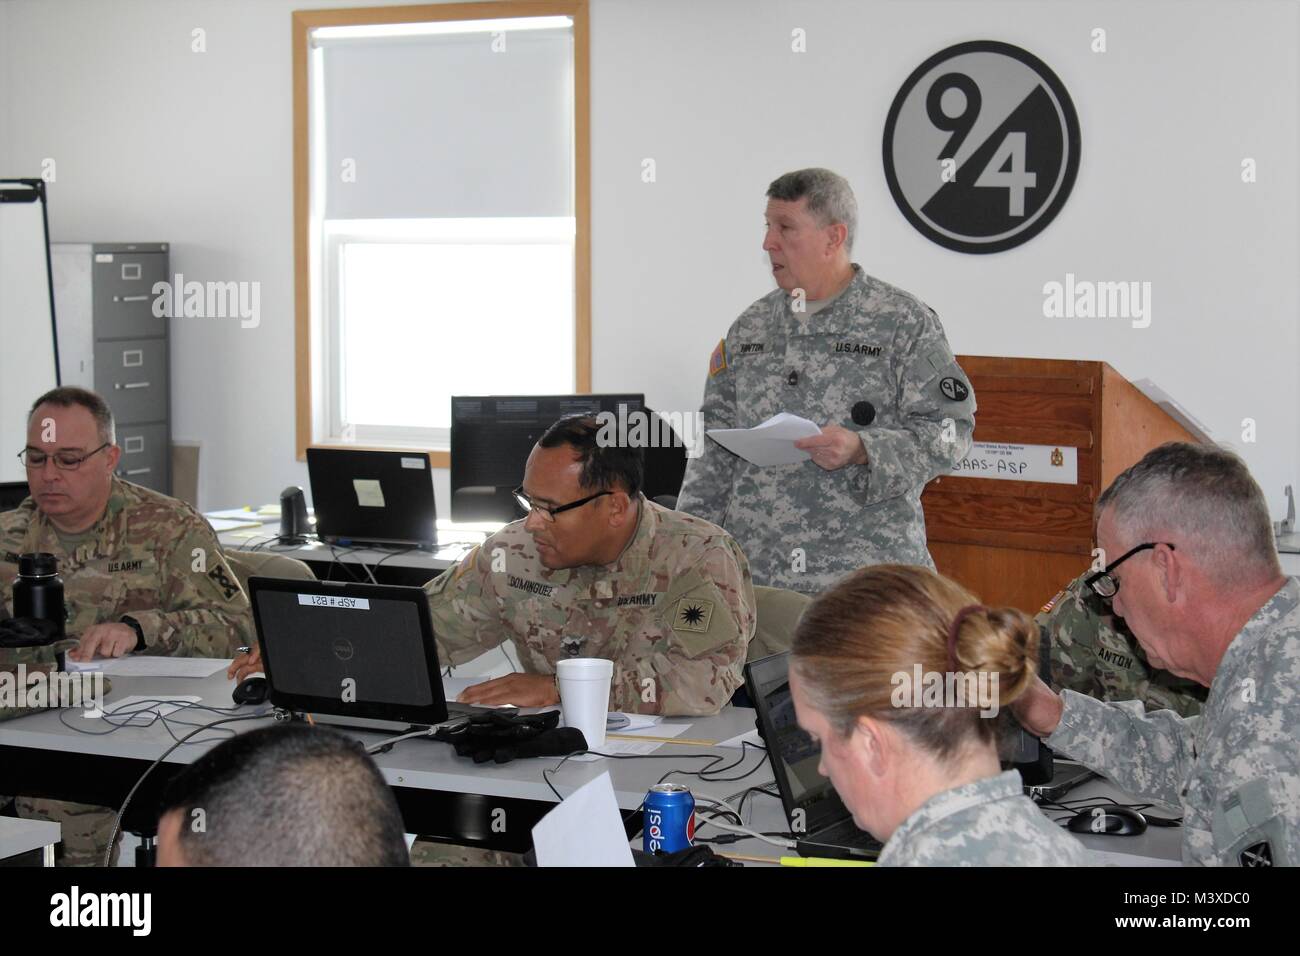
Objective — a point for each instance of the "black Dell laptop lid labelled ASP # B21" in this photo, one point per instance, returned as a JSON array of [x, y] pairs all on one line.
[[349, 650]]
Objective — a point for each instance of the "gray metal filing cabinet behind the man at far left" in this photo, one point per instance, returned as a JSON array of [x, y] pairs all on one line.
[[111, 341]]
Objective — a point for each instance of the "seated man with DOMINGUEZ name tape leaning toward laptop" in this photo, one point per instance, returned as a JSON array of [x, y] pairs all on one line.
[[595, 570]]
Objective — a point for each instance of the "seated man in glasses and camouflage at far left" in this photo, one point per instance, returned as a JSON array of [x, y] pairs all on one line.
[[142, 573]]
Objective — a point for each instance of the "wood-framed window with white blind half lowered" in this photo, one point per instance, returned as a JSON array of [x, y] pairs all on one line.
[[443, 223]]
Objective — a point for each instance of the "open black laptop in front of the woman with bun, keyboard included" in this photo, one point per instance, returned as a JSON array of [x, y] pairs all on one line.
[[822, 824]]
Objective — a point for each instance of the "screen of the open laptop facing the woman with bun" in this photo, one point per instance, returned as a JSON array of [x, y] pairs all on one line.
[[794, 755]]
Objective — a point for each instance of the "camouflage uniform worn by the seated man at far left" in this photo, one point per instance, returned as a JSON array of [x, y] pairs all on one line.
[[151, 559]]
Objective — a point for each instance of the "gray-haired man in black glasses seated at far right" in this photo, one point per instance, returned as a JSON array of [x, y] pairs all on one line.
[[1194, 573]]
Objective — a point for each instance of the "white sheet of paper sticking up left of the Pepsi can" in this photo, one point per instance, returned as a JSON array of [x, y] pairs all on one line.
[[584, 830]]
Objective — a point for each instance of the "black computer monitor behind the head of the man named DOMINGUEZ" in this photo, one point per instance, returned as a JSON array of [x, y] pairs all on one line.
[[492, 438]]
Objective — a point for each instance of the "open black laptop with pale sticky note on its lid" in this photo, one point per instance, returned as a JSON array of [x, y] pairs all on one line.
[[372, 498]]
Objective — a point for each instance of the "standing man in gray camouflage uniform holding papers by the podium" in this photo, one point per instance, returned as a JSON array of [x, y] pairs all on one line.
[[830, 345]]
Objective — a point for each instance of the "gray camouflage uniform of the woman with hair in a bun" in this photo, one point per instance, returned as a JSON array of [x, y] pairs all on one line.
[[989, 823]]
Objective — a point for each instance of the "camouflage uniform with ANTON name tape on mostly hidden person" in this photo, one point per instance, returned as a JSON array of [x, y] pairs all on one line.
[[1095, 654]]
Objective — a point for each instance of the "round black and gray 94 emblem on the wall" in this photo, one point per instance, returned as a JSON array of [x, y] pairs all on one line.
[[982, 148]]
